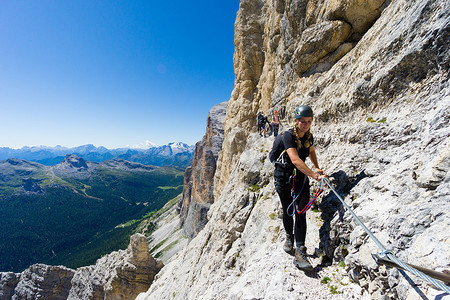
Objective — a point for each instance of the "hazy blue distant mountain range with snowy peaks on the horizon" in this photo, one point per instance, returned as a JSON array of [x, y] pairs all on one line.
[[173, 154]]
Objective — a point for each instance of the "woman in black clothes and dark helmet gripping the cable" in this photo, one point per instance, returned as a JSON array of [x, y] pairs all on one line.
[[291, 181]]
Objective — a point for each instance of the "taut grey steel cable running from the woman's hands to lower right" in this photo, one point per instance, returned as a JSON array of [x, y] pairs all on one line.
[[388, 253]]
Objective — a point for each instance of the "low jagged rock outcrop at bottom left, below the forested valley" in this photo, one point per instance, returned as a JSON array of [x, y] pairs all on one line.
[[119, 275]]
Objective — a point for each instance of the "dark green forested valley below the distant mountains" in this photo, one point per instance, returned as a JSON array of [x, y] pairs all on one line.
[[74, 212]]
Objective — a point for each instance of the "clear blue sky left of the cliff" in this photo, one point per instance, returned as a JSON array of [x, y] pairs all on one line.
[[112, 73]]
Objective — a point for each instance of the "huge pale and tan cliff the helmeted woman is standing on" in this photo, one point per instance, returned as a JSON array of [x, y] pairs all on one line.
[[381, 96]]
